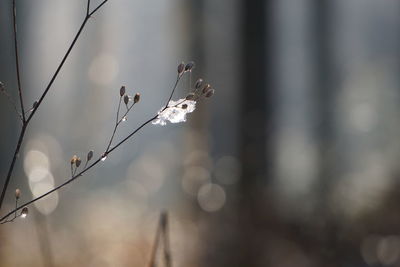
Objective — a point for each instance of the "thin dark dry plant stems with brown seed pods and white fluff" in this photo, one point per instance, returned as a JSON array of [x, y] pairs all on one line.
[[172, 111]]
